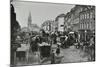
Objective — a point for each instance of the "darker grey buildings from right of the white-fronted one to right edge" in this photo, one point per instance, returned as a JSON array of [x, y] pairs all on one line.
[[81, 19]]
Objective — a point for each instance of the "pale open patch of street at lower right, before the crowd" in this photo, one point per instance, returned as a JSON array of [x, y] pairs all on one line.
[[73, 55]]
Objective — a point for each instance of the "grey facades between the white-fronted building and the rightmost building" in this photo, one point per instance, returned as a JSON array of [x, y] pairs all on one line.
[[72, 19]]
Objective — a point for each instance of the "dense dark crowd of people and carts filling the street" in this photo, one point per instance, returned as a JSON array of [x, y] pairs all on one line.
[[41, 45]]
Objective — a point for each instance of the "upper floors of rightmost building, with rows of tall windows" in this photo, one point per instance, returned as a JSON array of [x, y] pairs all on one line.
[[87, 19]]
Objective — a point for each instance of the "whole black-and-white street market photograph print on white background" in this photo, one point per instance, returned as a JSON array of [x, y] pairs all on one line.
[[51, 33]]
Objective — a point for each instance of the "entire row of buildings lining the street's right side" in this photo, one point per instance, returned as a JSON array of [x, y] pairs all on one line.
[[81, 19]]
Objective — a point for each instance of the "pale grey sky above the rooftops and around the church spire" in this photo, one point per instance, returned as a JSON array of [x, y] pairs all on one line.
[[40, 12]]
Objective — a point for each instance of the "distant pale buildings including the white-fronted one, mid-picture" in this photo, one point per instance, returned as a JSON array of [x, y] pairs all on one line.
[[54, 25]]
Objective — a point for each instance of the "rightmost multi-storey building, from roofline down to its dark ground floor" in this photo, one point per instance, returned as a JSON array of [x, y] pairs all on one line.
[[87, 22]]
